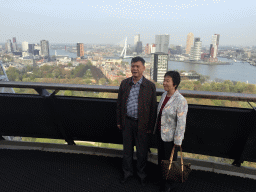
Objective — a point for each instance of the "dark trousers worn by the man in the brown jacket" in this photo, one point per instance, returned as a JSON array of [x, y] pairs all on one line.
[[131, 135]]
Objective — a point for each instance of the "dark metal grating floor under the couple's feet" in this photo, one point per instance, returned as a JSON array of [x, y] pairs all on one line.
[[31, 170]]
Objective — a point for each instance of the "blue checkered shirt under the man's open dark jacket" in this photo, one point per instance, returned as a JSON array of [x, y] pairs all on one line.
[[132, 102]]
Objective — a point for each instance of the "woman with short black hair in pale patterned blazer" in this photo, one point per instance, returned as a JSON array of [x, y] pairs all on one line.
[[171, 121]]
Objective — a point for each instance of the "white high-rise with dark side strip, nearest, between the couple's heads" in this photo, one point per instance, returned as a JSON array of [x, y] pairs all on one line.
[[159, 66]]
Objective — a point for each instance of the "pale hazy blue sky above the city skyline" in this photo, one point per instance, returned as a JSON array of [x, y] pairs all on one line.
[[111, 21]]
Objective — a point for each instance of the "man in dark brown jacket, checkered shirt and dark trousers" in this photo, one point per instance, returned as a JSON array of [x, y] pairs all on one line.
[[136, 114]]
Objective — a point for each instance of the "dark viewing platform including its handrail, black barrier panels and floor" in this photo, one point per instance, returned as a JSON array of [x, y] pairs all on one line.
[[213, 131]]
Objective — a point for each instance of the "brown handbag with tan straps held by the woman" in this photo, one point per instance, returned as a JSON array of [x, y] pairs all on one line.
[[174, 170]]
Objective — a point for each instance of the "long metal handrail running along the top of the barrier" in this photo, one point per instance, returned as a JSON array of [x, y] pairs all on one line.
[[114, 89]]
